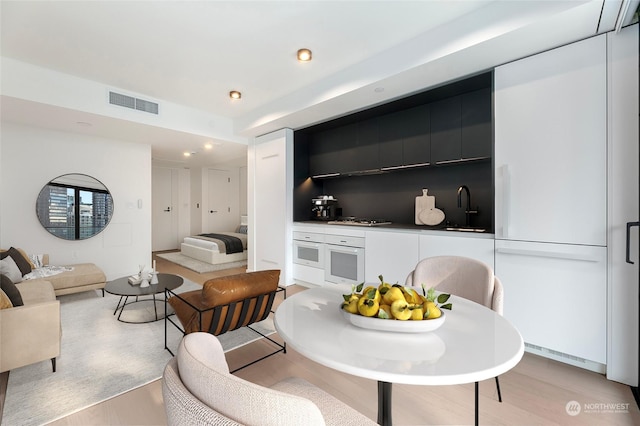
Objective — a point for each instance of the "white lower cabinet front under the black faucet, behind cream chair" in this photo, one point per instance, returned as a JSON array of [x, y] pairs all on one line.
[[481, 249]]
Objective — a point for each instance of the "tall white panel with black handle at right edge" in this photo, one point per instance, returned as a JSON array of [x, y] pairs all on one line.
[[622, 350]]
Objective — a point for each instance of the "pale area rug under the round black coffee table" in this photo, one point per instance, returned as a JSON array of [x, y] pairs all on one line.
[[100, 358]]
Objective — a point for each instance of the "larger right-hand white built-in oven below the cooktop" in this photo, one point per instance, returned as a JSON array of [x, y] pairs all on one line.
[[344, 259]]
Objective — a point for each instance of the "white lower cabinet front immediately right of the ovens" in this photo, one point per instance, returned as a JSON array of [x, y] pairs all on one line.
[[390, 254]]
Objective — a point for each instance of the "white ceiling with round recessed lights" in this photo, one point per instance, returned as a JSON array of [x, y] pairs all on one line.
[[193, 53]]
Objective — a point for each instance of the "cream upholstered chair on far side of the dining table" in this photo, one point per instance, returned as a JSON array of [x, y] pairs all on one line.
[[463, 277]]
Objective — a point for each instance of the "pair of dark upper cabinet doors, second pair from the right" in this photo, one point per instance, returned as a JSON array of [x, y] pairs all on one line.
[[404, 137]]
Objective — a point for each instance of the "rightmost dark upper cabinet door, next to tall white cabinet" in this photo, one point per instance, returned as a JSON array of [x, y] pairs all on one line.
[[476, 137]]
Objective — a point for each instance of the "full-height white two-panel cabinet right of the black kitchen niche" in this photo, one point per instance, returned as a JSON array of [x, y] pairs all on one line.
[[551, 199]]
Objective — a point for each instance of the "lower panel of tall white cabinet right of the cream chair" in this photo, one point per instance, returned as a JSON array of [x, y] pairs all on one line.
[[556, 296]]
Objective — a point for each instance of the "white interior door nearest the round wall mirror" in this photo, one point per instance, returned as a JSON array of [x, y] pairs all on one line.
[[164, 217]]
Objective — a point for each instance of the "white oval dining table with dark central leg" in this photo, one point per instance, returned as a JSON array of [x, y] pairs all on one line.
[[473, 344]]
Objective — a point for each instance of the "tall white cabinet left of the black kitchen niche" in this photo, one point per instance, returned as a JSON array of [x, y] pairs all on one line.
[[270, 203]]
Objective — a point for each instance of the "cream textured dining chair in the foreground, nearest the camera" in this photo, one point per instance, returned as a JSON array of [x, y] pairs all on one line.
[[198, 389]]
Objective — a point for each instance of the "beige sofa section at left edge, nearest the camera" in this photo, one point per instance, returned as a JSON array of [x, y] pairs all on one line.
[[30, 333]]
